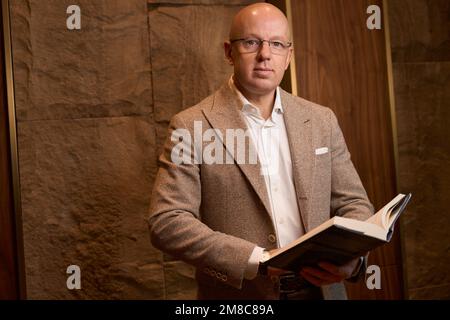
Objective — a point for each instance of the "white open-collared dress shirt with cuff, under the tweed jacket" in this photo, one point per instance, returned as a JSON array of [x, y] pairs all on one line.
[[272, 146]]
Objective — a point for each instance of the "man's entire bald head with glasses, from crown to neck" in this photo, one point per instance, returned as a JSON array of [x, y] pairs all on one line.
[[258, 70]]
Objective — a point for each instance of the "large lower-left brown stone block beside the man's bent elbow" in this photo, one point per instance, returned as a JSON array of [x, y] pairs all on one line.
[[85, 194]]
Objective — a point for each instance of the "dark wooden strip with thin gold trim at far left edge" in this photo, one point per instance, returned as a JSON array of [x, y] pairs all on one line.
[[12, 275]]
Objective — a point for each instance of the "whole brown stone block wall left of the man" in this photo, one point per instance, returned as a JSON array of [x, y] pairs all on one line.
[[92, 109]]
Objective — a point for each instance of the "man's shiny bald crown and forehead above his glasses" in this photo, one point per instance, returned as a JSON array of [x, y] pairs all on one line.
[[248, 21]]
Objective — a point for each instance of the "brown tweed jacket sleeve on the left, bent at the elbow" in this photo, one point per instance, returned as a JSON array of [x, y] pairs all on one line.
[[175, 222]]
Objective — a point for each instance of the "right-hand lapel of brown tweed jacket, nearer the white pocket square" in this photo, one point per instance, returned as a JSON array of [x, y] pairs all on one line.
[[298, 126]]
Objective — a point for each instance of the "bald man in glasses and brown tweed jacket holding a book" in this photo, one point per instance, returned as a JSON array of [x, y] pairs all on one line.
[[252, 168]]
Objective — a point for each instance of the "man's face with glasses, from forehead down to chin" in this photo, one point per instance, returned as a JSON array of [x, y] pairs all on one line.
[[260, 72]]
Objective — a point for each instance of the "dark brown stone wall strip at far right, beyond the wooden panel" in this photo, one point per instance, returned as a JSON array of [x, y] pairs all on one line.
[[420, 42]]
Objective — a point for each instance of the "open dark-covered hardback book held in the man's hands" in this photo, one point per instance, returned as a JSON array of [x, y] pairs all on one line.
[[340, 239]]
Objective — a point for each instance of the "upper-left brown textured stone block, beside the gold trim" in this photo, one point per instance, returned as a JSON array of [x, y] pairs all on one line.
[[101, 70]]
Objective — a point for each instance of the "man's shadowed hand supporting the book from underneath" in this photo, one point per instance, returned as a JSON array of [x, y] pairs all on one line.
[[328, 273]]
